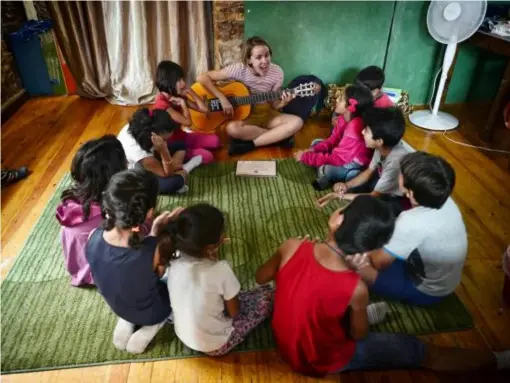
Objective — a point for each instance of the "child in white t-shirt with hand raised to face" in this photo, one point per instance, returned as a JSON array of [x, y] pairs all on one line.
[[144, 141]]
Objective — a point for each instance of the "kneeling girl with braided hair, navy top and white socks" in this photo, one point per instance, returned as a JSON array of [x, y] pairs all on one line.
[[125, 265]]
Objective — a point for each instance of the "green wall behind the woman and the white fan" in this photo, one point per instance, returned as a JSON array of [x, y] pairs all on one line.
[[333, 40]]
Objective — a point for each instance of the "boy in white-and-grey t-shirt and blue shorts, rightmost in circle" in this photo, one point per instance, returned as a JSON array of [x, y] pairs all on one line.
[[423, 261]]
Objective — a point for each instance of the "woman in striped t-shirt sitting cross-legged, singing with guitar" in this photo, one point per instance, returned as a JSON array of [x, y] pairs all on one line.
[[265, 125]]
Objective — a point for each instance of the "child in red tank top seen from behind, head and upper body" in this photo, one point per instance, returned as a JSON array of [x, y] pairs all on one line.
[[315, 290]]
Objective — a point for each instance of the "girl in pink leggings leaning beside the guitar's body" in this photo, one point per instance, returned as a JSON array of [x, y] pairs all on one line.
[[173, 97]]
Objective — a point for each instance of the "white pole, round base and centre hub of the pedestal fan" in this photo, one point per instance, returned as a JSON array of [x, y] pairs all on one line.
[[434, 119]]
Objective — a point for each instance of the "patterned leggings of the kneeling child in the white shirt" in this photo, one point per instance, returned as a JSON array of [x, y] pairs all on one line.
[[255, 306]]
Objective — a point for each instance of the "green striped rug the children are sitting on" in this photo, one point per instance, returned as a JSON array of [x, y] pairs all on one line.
[[47, 324]]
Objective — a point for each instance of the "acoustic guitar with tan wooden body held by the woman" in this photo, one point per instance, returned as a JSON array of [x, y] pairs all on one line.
[[241, 99]]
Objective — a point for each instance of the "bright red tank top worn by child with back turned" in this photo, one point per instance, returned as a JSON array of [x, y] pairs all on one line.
[[312, 339]]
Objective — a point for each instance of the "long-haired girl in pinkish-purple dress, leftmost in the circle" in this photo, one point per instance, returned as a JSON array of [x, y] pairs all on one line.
[[80, 210]]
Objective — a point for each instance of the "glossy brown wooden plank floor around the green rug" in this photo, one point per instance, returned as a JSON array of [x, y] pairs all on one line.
[[46, 133]]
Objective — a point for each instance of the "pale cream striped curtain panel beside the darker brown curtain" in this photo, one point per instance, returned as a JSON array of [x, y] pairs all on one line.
[[139, 34]]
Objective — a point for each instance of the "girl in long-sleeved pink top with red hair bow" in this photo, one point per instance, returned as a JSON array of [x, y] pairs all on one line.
[[344, 154]]
